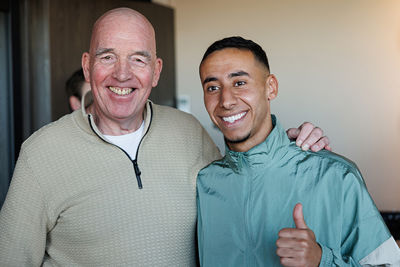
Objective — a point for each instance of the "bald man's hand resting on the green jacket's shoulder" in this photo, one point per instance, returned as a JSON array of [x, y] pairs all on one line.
[[308, 136]]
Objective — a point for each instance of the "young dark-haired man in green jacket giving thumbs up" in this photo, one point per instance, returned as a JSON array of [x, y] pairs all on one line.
[[246, 199]]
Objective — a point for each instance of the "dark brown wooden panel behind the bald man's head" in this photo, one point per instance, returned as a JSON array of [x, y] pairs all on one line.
[[70, 27]]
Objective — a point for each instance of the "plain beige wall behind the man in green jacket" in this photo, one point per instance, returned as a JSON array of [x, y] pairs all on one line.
[[338, 64]]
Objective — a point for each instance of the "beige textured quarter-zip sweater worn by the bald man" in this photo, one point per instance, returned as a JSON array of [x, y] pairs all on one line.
[[74, 199]]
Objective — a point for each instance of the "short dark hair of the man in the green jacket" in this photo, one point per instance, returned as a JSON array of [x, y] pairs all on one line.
[[239, 43]]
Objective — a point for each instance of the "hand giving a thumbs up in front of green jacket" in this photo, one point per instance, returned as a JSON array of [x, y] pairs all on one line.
[[297, 246]]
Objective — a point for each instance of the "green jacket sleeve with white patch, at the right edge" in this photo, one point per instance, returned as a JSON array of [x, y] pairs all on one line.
[[363, 233]]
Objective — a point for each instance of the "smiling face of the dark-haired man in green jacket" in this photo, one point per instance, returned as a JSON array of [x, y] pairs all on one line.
[[237, 90]]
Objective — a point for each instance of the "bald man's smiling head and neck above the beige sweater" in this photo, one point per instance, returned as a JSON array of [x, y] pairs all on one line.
[[122, 68]]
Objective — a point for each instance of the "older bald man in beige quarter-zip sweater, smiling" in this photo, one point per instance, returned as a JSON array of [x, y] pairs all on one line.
[[112, 184]]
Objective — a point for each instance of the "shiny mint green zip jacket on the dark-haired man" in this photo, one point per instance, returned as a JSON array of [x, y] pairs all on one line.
[[246, 198]]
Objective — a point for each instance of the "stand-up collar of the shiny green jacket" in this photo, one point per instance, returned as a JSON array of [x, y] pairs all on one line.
[[263, 154]]
